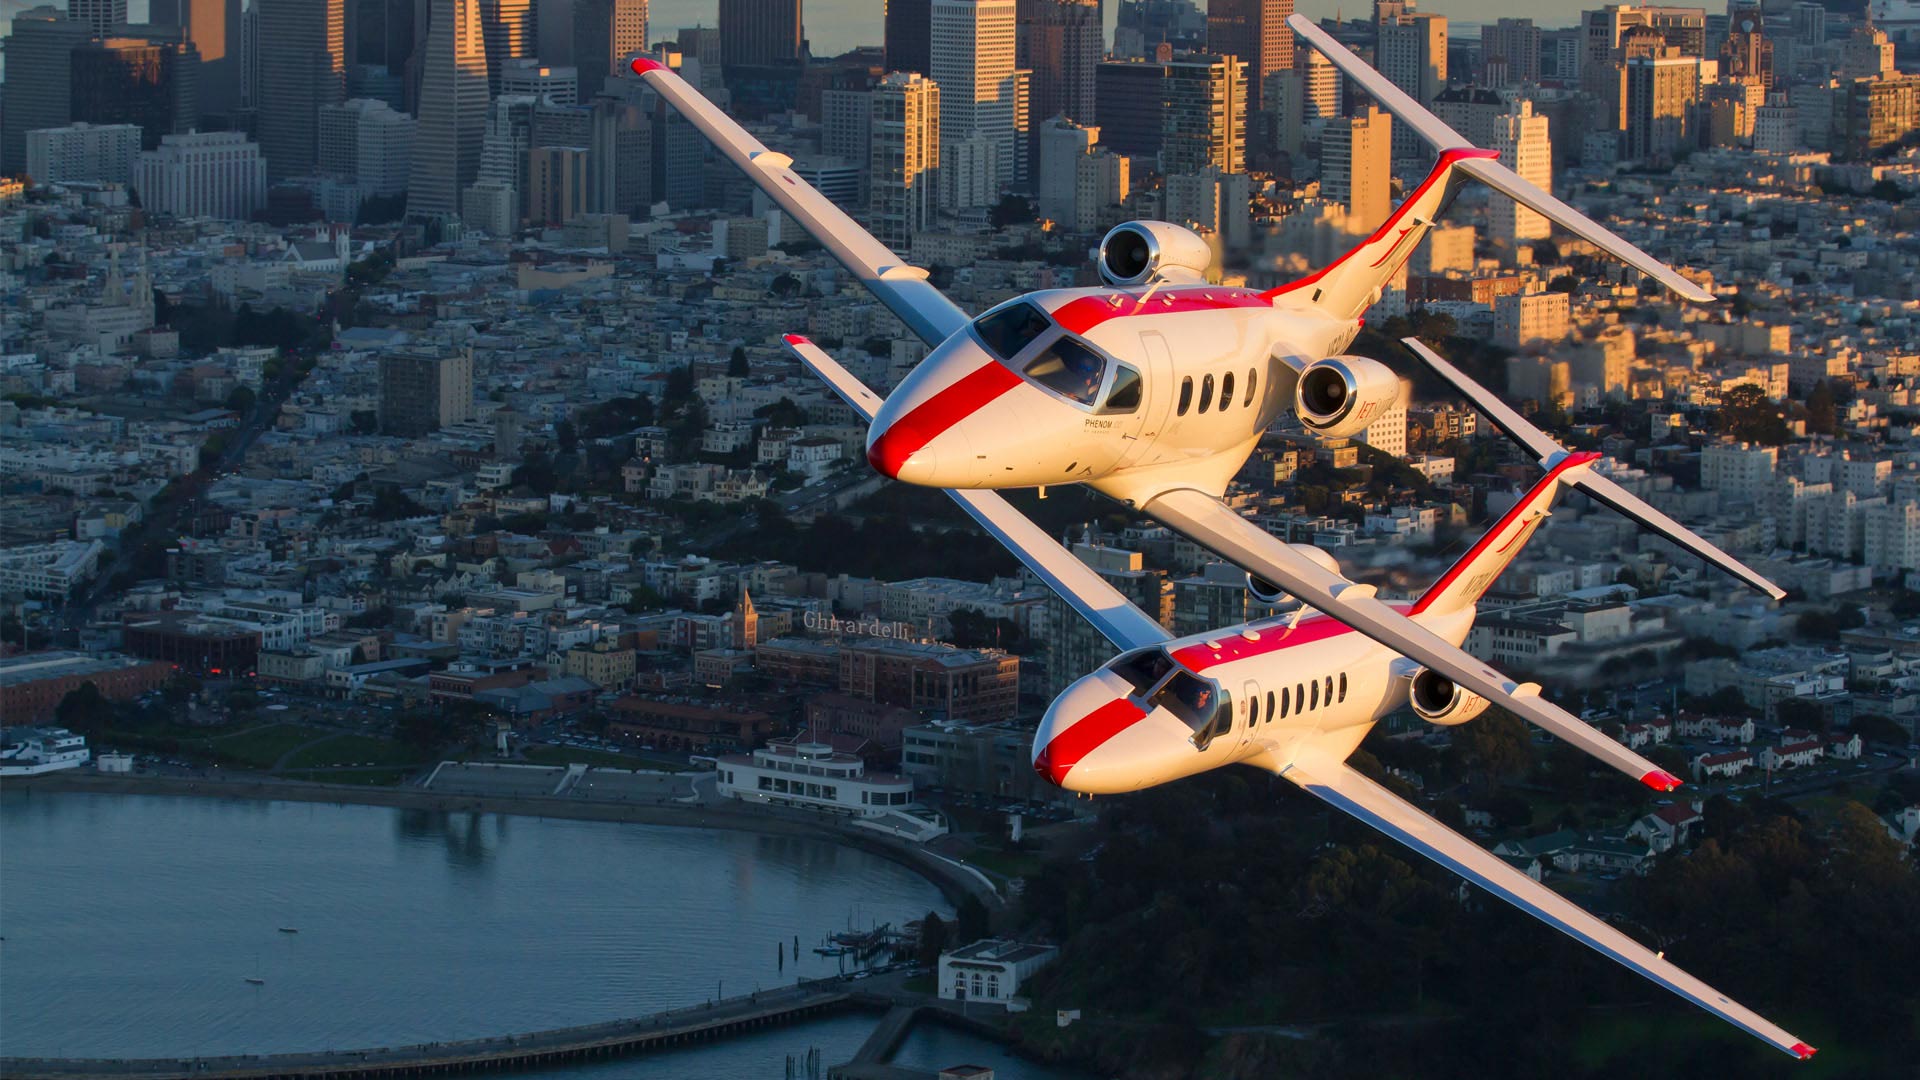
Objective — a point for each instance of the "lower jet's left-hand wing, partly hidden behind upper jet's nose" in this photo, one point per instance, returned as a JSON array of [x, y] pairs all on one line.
[[1086, 591]]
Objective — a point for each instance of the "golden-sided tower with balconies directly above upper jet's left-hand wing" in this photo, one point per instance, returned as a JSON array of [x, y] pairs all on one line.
[[905, 137]]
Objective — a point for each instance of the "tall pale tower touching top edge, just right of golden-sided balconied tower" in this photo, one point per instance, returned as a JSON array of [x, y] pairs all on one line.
[[974, 64]]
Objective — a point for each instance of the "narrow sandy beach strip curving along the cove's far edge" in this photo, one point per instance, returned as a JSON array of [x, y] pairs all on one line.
[[951, 881]]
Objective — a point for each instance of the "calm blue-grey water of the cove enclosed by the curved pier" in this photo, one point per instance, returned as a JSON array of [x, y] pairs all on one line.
[[133, 921]]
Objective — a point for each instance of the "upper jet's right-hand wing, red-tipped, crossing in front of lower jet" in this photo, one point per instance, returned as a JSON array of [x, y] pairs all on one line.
[[1218, 528]]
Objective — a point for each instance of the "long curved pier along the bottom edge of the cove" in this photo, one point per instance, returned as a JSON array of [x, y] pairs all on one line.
[[500, 1054]]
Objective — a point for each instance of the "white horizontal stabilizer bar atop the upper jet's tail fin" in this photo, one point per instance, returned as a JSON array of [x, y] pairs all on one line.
[[1483, 168]]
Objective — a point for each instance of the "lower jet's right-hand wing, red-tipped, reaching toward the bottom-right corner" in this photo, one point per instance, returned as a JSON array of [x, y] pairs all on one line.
[[1349, 791]]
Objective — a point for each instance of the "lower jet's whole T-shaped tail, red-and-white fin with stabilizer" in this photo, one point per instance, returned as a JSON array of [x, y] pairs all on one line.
[[1564, 468]]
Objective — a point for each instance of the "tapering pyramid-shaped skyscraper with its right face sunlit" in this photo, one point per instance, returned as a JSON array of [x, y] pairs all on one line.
[[452, 110]]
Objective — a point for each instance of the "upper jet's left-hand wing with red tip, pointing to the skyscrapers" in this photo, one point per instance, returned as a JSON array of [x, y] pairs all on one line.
[[901, 287]]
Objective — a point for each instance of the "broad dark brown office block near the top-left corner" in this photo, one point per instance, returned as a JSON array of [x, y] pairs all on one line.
[[153, 84]]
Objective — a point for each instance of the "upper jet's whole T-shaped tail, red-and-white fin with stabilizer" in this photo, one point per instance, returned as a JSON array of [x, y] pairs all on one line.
[[1355, 282]]
